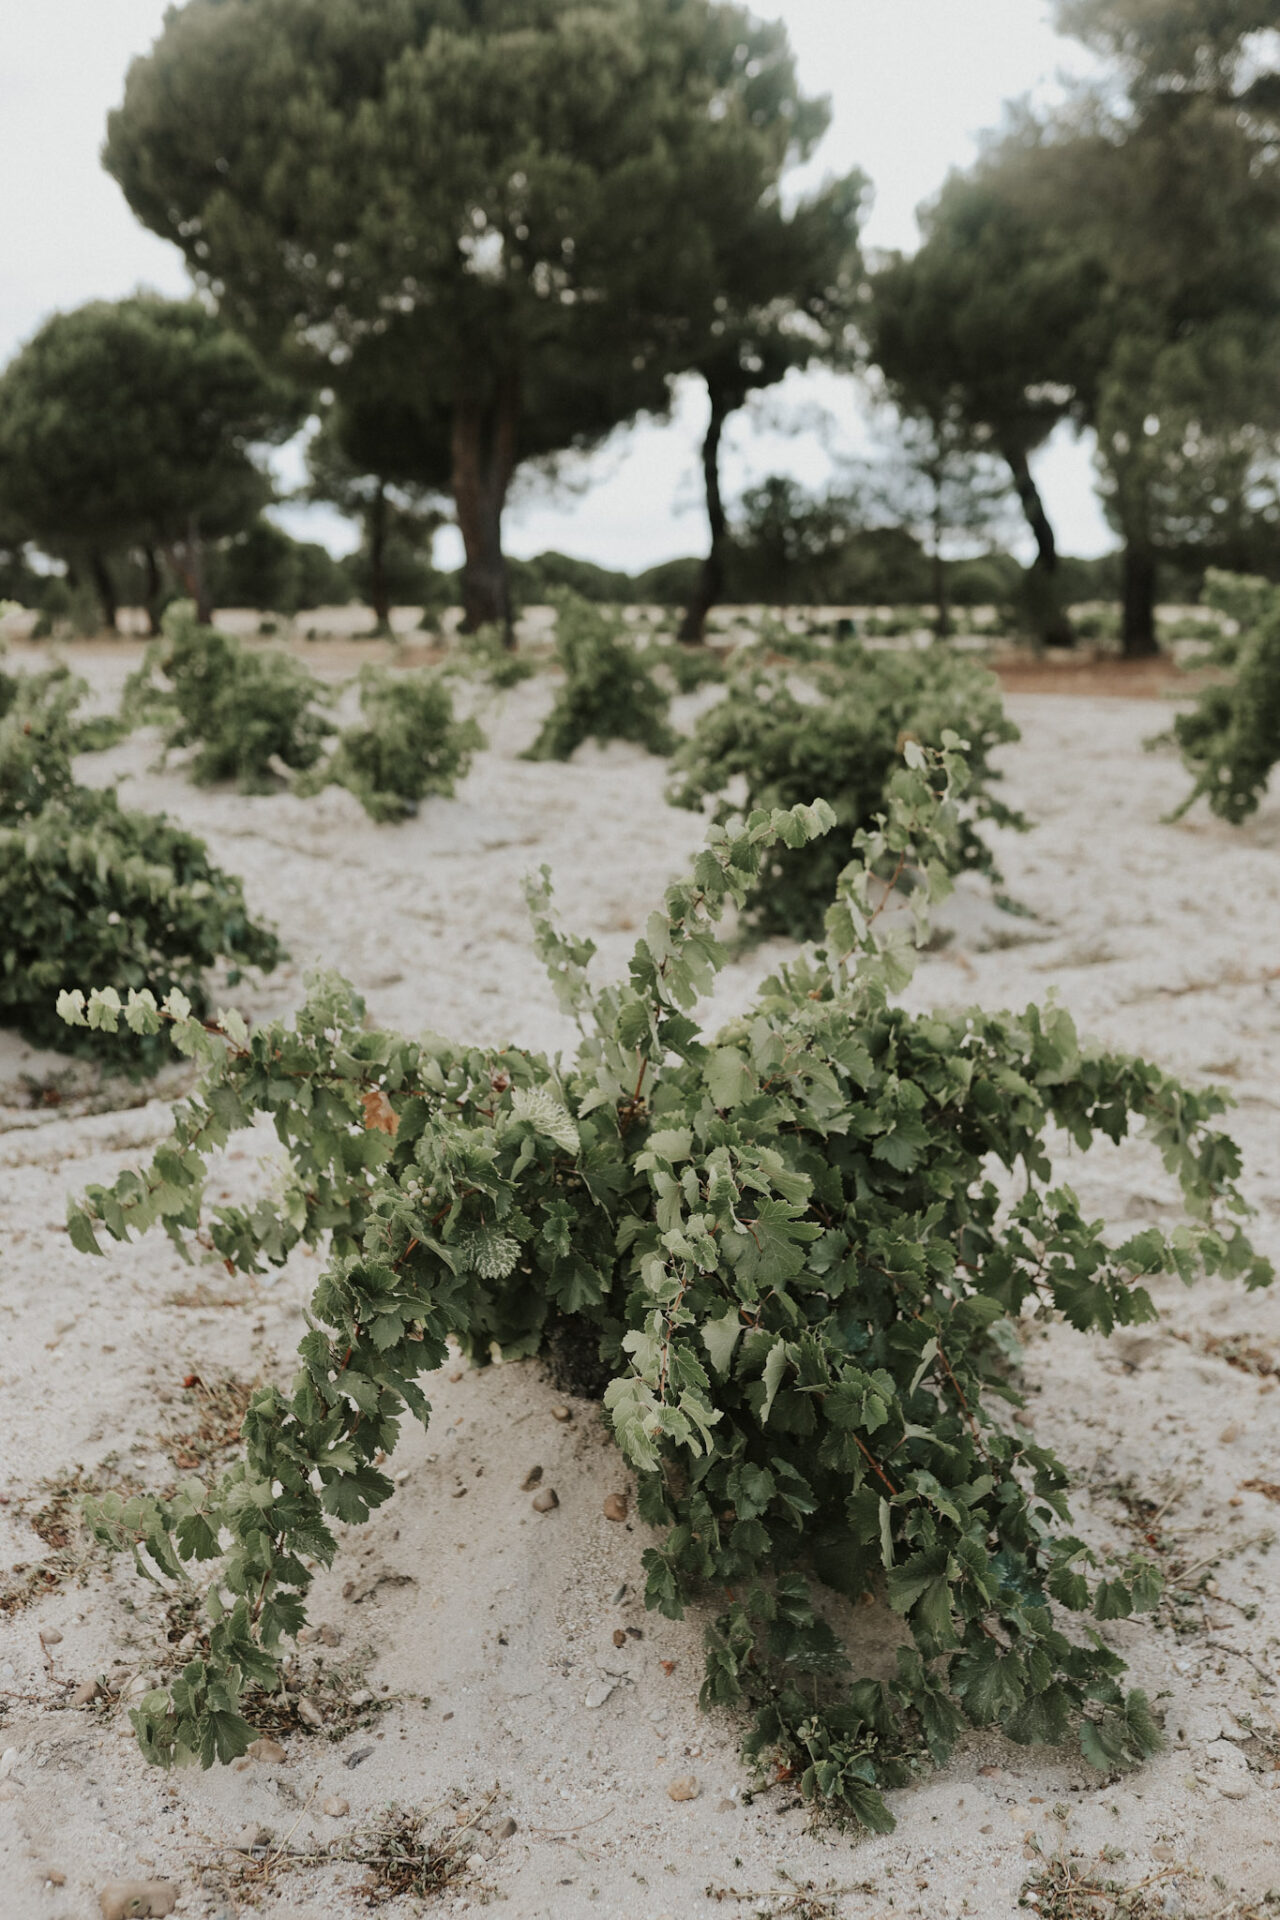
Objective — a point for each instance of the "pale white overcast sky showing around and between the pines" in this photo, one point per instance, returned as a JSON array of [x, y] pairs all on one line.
[[913, 85]]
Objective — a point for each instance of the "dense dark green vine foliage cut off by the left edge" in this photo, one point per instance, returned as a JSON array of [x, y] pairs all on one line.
[[91, 890]]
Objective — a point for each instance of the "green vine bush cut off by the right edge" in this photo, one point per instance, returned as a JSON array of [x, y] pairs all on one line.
[[1231, 738]]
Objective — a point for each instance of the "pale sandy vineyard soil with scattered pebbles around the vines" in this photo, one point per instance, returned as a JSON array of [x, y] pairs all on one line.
[[485, 1631]]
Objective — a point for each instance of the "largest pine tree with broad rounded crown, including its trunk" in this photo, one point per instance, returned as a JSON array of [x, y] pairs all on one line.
[[515, 210]]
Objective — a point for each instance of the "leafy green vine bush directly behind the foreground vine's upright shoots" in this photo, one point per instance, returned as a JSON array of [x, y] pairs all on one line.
[[838, 729]]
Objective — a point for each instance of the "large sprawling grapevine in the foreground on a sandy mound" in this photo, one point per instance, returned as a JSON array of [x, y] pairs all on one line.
[[792, 1255]]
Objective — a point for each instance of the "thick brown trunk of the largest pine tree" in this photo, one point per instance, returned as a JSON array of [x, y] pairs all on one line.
[[485, 460]]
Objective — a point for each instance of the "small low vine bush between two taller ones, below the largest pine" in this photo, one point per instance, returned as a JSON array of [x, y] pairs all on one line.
[[410, 746]]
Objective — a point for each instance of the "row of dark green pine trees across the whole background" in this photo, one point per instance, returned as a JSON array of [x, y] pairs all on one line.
[[469, 239]]
